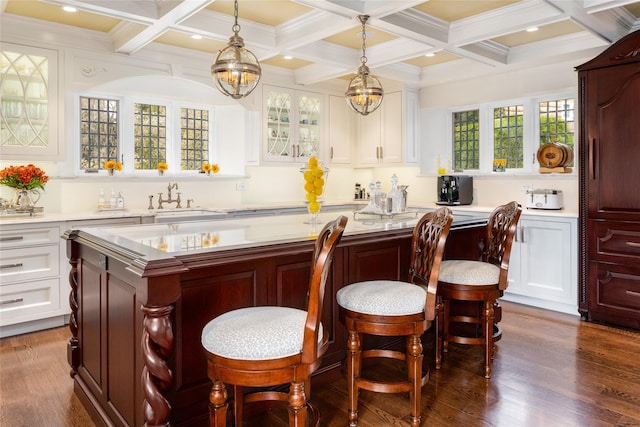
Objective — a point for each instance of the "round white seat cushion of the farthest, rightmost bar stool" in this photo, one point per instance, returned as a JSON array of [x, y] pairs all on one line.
[[466, 272]]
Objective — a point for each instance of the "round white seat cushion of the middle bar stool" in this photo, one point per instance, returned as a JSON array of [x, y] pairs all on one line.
[[383, 297]]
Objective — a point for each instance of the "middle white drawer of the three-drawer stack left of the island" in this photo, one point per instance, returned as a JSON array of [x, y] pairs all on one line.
[[22, 264]]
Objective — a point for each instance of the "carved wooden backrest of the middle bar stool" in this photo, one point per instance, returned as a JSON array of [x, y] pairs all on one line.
[[427, 248]]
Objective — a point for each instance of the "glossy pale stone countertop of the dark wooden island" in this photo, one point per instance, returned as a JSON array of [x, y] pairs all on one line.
[[185, 237]]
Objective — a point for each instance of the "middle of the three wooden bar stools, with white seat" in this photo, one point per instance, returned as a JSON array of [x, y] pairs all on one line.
[[395, 308]]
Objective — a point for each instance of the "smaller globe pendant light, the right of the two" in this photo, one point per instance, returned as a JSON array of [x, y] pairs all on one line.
[[364, 93]]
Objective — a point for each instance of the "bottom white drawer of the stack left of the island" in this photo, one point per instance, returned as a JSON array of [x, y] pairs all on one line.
[[30, 301]]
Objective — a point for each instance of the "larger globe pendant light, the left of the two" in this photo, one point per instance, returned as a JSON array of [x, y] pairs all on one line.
[[236, 70]]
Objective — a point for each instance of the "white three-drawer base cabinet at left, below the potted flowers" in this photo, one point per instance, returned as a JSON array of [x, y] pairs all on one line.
[[30, 284]]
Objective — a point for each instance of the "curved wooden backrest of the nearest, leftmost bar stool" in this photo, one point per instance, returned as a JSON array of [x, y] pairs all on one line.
[[321, 260]]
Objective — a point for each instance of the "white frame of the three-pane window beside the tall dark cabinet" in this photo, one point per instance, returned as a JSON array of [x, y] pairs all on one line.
[[530, 137]]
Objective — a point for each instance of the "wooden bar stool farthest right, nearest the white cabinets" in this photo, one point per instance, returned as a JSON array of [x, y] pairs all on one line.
[[477, 282]]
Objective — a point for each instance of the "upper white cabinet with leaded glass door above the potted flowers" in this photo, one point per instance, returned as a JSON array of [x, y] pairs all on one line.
[[28, 113]]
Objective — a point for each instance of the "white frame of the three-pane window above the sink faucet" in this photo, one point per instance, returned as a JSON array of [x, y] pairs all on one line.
[[126, 144]]
